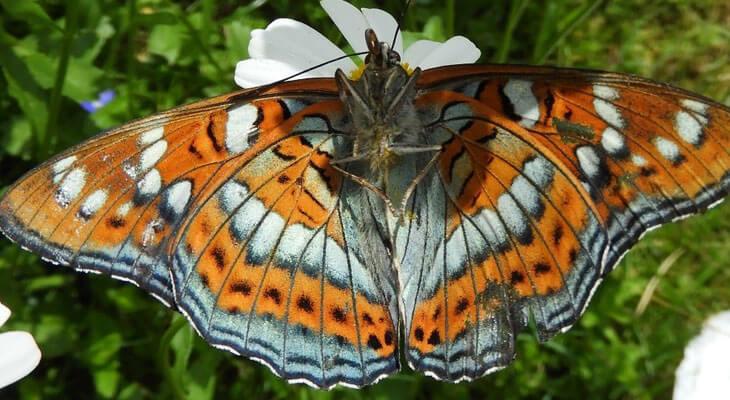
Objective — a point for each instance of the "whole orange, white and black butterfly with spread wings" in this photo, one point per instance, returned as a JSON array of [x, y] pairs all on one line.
[[317, 226]]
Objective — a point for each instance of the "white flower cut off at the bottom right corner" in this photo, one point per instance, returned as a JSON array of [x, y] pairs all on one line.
[[704, 373]]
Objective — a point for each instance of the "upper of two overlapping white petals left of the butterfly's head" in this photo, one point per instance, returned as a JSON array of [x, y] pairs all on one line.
[[293, 43]]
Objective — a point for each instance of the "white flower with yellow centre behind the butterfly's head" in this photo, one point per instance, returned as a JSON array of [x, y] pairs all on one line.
[[287, 47]]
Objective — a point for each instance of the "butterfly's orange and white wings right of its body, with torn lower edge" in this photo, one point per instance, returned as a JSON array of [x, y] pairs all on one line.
[[545, 178]]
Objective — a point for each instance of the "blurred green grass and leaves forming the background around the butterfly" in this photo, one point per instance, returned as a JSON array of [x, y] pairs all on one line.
[[104, 339]]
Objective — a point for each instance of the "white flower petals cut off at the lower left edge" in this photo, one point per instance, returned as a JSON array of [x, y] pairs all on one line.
[[19, 354]]
